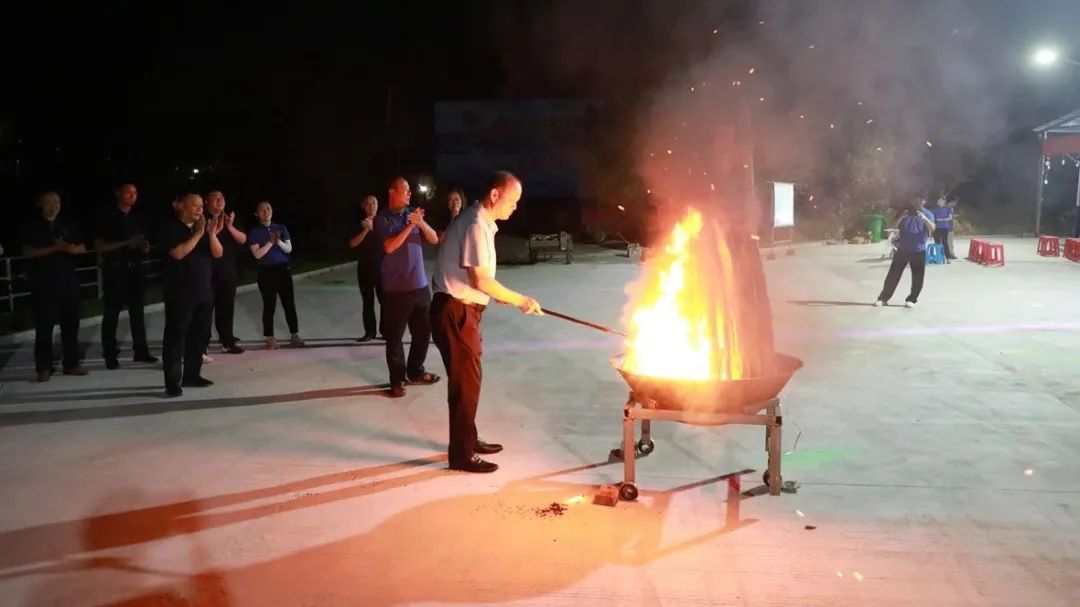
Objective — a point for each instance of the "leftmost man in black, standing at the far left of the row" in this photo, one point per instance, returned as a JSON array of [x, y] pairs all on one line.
[[51, 245]]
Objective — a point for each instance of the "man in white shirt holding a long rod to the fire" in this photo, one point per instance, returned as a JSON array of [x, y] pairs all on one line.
[[464, 285]]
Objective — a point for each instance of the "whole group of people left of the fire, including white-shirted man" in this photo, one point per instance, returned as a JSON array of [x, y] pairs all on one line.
[[200, 248]]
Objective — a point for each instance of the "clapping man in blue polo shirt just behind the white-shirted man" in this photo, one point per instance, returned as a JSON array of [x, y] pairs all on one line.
[[406, 295]]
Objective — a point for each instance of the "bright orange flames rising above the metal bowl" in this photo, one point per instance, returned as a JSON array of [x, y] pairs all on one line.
[[680, 326]]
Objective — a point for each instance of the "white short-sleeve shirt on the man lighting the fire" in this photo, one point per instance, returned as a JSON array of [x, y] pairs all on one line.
[[469, 242]]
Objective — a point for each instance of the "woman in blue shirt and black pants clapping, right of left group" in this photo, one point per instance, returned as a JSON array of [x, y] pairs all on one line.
[[272, 246]]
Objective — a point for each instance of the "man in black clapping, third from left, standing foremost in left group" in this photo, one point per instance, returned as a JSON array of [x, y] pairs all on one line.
[[191, 245]]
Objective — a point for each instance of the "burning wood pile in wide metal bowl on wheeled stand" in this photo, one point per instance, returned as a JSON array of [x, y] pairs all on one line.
[[700, 346]]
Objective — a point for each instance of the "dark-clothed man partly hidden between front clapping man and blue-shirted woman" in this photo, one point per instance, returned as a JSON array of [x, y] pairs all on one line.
[[224, 278]]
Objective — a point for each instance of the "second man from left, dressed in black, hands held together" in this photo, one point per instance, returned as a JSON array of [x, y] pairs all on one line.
[[123, 246]]
